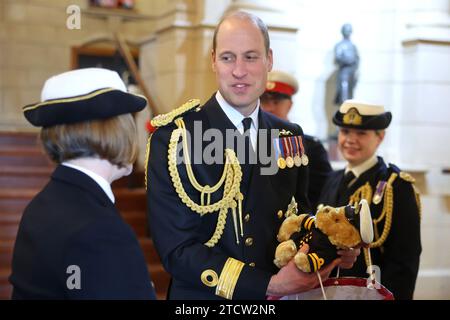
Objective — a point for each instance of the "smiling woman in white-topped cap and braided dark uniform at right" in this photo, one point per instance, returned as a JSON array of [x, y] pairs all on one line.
[[393, 198]]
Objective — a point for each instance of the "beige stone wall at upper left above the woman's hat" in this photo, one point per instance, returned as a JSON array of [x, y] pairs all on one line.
[[35, 44]]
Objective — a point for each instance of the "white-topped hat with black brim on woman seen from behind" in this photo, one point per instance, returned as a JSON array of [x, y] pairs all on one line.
[[82, 95]]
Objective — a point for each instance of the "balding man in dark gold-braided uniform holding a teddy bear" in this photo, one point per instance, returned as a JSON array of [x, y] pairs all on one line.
[[214, 225]]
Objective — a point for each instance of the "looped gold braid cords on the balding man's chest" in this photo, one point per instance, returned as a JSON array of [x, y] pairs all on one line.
[[231, 179]]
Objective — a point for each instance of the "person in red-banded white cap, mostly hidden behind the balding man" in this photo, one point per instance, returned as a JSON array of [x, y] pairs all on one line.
[[277, 99]]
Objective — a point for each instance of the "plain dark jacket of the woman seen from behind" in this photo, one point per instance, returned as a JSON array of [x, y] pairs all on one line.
[[72, 222]]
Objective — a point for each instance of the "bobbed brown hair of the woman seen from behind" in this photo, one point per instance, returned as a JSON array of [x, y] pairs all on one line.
[[113, 139]]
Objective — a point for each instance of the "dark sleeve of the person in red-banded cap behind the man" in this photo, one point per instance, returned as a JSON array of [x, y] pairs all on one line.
[[319, 168]]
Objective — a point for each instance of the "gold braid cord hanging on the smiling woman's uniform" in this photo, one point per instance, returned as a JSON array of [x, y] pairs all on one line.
[[386, 214]]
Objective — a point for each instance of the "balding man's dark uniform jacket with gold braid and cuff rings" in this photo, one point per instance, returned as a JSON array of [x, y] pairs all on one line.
[[215, 226]]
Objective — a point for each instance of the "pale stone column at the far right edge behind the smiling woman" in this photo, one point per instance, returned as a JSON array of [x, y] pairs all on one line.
[[423, 131]]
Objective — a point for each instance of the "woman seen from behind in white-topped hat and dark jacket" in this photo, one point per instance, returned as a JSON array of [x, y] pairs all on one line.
[[72, 242]]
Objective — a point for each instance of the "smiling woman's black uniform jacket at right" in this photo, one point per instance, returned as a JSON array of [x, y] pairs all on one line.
[[399, 261]]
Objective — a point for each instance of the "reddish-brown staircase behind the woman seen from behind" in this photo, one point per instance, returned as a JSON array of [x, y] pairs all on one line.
[[24, 170]]
